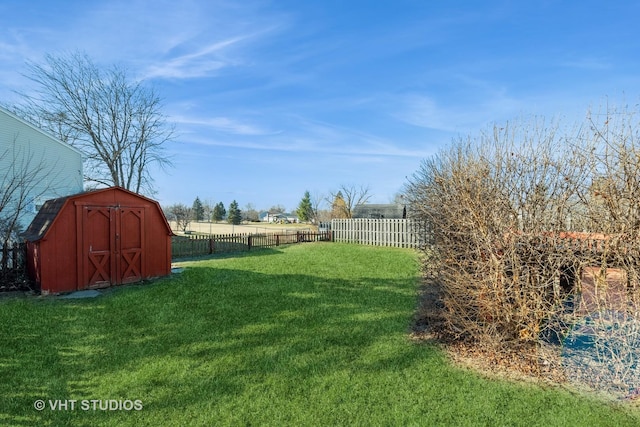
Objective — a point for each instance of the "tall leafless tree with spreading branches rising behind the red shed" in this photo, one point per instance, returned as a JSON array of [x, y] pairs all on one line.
[[115, 122]]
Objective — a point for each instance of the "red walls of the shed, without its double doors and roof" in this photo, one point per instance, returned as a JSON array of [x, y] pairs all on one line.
[[54, 259]]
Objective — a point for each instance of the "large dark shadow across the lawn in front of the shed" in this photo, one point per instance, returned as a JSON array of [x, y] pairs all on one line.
[[198, 339]]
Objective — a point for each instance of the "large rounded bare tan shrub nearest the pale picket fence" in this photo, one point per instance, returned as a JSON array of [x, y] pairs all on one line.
[[494, 207]]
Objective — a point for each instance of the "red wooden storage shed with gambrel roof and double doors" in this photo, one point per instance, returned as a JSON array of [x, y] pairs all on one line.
[[97, 239]]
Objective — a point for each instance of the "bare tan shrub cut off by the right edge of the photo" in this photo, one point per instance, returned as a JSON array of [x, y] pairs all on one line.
[[613, 209]]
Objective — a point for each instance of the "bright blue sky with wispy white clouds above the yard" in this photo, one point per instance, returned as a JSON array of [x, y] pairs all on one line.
[[272, 98]]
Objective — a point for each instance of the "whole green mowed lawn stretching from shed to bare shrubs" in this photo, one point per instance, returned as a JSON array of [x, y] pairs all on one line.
[[313, 334]]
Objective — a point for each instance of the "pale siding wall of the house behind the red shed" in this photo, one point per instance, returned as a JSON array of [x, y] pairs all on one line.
[[58, 164]]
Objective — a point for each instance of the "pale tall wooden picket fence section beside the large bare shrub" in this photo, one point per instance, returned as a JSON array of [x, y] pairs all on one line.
[[398, 233]]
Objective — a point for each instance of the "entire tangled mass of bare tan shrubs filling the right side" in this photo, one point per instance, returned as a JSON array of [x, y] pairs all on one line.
[[516, 217]]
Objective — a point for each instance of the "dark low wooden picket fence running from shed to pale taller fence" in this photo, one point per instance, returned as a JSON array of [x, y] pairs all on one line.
[[198, 245]]
